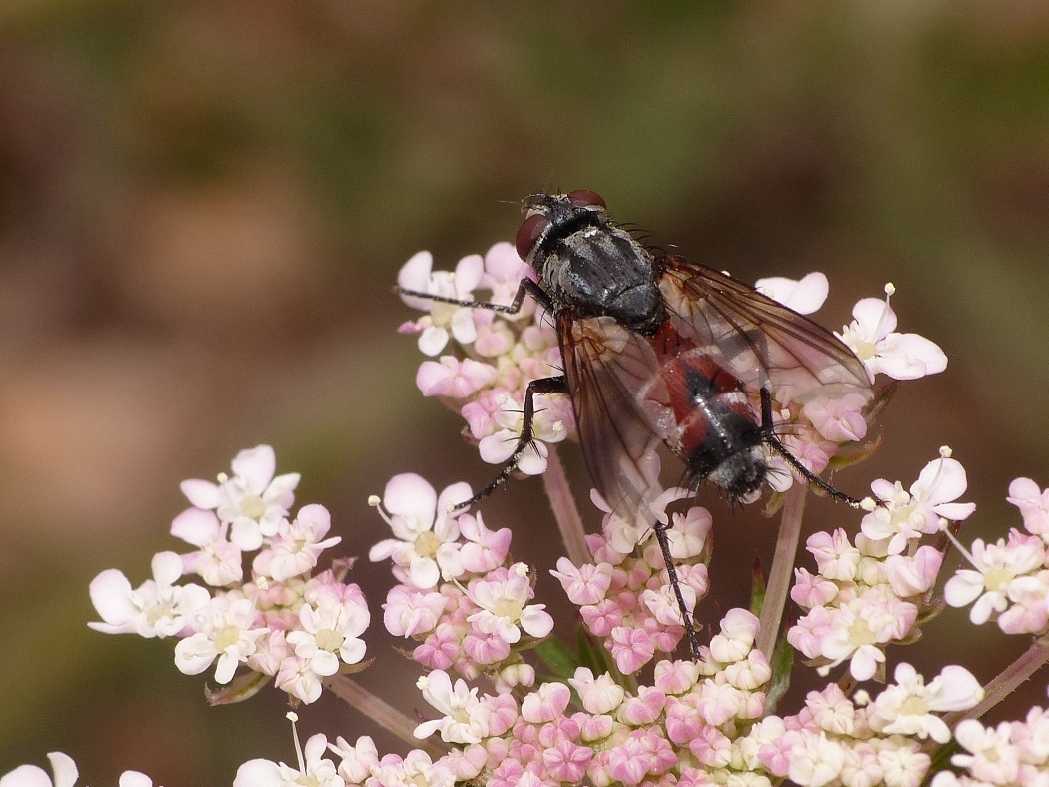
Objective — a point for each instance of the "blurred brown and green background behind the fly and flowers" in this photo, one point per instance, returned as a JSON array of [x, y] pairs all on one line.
[[204, 205]]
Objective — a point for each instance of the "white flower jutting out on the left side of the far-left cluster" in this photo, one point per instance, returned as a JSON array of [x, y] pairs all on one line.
[[158, 608]]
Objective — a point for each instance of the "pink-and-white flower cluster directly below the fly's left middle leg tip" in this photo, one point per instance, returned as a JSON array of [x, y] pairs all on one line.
[[458, 592]]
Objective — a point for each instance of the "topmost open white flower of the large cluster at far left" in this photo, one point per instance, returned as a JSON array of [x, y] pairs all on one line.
[[252, 500]]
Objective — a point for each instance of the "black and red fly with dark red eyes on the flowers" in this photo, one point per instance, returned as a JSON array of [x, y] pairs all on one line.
[[658, 351]]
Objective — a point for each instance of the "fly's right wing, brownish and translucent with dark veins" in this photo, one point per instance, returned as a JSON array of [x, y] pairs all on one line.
[[759, 342]]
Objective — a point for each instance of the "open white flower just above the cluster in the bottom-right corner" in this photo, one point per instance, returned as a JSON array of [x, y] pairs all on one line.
[[907, 709]]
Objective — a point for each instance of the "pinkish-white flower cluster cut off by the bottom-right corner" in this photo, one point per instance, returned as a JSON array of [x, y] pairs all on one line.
[[1011, 755]]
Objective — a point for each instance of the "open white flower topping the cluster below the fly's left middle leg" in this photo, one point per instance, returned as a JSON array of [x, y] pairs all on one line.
[[426, 546]]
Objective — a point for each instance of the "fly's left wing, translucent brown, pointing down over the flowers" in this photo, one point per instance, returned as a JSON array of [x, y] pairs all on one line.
[[620, 407]]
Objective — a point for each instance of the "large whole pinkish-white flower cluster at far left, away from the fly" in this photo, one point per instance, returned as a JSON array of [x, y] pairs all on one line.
[[286, 623]]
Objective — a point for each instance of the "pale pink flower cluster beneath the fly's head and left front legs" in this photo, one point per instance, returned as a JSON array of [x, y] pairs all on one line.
[[485, 360]]
